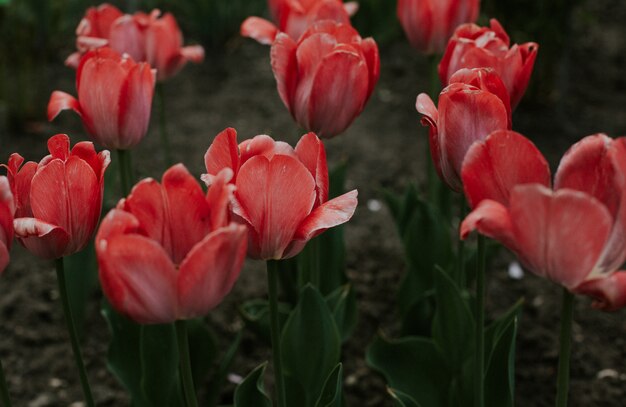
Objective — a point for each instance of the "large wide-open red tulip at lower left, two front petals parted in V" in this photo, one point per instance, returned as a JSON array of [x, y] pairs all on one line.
[[168, 251]]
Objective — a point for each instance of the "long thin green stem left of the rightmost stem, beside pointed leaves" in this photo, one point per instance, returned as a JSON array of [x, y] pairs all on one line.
[[479, 394]]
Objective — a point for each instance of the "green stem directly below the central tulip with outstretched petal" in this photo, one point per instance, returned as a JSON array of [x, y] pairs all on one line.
[[272, 288]]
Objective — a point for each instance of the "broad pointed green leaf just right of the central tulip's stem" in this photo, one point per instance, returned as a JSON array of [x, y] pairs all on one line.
[[311, 347]]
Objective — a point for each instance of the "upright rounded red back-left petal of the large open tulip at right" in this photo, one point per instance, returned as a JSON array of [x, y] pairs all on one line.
[[503, 160]]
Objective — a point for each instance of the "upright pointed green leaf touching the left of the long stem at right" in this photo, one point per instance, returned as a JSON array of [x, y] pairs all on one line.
[[453, 325]]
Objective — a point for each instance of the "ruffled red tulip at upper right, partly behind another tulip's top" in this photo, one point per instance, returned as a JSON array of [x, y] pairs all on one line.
[[472, 46]]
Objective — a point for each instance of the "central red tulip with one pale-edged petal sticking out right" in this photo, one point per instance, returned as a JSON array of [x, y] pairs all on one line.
[[281, 193]]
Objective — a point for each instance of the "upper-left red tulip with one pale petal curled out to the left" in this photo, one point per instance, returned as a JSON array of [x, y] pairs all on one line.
[[114, 98]]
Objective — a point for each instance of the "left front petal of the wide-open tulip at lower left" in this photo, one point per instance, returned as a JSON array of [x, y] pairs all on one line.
[[139, 279]]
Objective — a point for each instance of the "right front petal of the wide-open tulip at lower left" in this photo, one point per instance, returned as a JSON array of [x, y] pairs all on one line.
[[210, 270]]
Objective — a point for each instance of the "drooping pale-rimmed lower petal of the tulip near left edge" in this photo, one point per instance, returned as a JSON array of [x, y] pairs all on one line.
[[43, 239]]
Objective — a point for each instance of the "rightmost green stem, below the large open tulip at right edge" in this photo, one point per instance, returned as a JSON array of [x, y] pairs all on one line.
[[567, 313]]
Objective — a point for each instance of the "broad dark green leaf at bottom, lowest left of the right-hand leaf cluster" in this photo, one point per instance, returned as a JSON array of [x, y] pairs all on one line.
[[413, 366]]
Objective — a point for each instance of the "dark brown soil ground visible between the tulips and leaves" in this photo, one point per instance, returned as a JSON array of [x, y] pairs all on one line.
[[385, 147]]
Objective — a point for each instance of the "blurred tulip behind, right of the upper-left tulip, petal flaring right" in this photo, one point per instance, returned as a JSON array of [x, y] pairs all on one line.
[[164, 45]]
